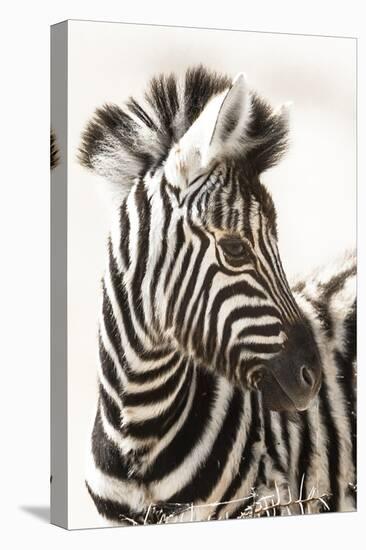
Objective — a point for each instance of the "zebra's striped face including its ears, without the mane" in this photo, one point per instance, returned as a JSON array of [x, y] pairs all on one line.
[[233, 308]]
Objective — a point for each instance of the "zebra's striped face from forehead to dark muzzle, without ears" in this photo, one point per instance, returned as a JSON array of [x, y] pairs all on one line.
[[230, 306]]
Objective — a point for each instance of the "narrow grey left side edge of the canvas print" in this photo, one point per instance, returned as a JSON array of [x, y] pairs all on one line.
[[58, 207]]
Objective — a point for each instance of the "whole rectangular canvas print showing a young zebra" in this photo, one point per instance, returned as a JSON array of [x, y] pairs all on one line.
[[210, 328]]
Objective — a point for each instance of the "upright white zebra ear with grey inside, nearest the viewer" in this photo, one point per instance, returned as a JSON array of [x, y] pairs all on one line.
[[216, 133]]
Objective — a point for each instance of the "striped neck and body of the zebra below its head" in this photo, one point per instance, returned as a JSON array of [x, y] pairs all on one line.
[[214, 443]]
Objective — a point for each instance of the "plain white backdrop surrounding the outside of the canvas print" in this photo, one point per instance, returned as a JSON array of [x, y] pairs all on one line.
[[25, 272]]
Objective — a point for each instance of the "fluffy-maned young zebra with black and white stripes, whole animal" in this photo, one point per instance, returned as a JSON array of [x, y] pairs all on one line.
[[210, 366]]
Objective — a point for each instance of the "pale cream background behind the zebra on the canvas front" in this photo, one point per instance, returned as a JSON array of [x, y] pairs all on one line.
[[313, 186]]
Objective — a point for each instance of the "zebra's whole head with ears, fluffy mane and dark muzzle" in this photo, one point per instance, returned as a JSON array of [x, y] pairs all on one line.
[[201, 254]]
